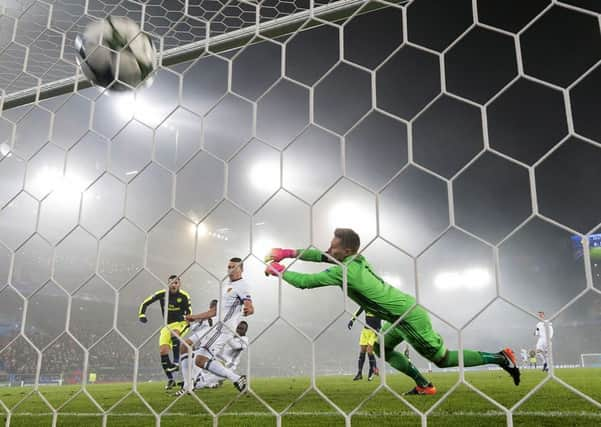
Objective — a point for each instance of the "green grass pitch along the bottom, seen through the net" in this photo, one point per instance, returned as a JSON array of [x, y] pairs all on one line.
[[552, 405]]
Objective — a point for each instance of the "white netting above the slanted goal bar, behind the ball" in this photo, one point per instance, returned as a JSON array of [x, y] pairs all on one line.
[[36, 38]]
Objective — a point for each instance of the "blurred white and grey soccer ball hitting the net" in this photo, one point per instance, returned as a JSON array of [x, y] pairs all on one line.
[[115, 51]]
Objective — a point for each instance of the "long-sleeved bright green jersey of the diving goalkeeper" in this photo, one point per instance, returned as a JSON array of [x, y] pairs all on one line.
[[364, 286]]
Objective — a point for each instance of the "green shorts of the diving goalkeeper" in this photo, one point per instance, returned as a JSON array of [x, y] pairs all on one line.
[[416, 329]]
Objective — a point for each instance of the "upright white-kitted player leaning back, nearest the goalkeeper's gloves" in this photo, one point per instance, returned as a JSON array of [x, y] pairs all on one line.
[[235, 303]]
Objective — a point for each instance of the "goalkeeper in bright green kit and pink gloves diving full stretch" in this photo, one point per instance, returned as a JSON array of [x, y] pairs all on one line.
[[388, 303]]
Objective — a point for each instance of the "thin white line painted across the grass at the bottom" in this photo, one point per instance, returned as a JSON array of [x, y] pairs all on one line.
[[551, 414]]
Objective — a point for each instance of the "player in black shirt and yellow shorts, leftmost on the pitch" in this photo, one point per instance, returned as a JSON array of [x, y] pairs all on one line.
[[179, 306]]
